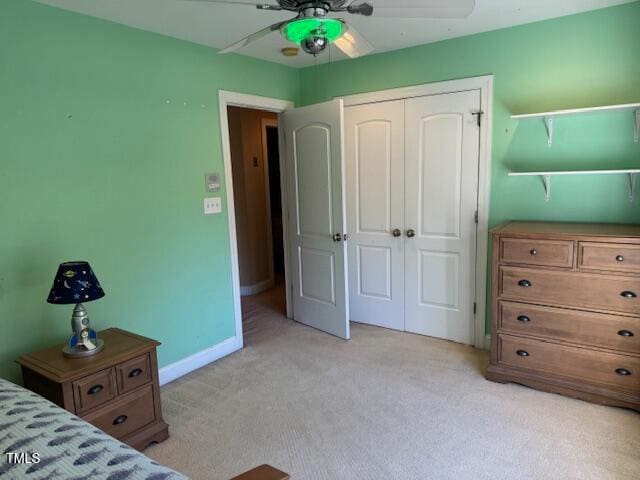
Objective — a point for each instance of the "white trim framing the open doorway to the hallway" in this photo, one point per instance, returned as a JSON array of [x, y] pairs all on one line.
[[227, 99]]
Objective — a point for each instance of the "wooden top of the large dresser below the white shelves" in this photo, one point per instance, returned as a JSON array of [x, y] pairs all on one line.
[[569, 229]]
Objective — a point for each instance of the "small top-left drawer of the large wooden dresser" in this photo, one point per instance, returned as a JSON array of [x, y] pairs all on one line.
[[549, 253]]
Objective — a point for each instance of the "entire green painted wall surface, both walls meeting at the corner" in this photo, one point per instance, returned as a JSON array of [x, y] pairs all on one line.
[[101, 159]]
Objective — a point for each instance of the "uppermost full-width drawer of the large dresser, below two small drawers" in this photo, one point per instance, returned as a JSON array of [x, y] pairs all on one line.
[[606, 292]]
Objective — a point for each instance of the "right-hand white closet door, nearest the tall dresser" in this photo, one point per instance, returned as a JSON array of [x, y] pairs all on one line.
[[441, 190]]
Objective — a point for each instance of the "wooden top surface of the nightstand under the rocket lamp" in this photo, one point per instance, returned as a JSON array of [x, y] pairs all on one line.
[[119, 346]]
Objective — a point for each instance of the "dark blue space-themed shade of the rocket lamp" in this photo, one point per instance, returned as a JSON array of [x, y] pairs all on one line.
[[75, 282]]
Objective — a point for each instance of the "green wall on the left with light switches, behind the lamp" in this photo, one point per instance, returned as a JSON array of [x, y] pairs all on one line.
[[102, 160]]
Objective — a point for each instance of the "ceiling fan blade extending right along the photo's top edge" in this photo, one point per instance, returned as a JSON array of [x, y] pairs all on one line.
[[424, 8]]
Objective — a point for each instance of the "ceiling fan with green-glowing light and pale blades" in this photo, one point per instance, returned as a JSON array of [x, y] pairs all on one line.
[[314, 30]]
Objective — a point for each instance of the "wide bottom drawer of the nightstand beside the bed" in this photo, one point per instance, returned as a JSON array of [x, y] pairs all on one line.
[[126, 415]]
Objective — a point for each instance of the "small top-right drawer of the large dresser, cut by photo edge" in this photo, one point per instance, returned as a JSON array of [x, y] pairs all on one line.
[[610, 256]]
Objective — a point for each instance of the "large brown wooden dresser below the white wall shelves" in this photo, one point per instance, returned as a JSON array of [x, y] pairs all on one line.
[[566, 309]]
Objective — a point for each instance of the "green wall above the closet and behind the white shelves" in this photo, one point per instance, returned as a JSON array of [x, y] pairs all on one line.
[[581, 60]]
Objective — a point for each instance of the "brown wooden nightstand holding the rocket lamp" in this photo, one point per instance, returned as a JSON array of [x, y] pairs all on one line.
[[117, 389]]
